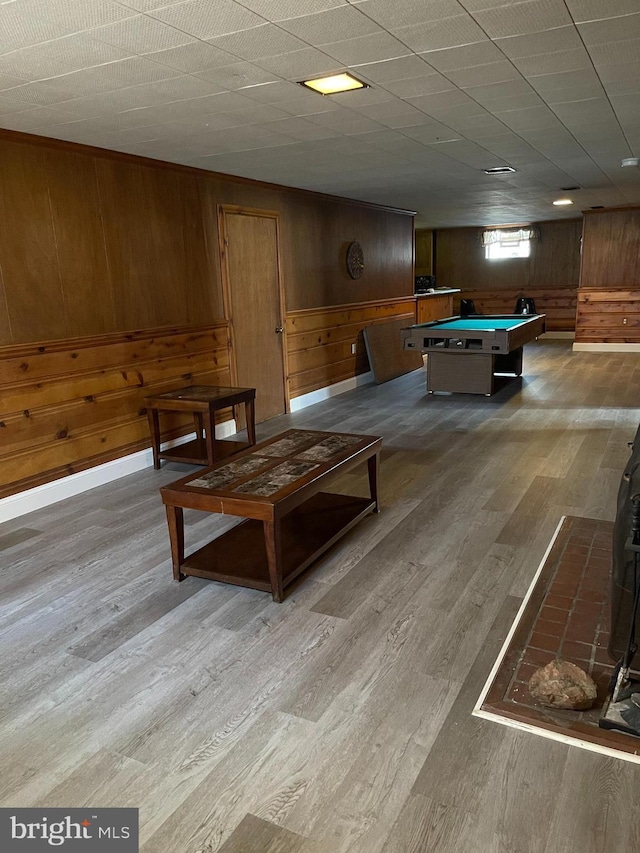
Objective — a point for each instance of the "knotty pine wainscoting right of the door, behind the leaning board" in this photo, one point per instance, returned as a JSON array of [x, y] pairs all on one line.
[[319, 341]]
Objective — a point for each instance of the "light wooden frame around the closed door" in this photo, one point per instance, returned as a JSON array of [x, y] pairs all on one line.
[[240, 210]]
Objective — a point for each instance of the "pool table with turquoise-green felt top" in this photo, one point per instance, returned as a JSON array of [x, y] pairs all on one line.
[[465, 353]]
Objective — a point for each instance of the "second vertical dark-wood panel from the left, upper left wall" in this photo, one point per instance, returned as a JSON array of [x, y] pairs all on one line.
[[79, 235]]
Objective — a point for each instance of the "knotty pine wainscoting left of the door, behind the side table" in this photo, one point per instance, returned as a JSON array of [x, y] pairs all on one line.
[[69, 405]]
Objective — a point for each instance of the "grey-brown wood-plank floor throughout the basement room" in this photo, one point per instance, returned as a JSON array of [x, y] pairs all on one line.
[[340, 720]]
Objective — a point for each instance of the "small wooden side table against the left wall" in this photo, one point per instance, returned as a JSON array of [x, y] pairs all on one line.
[[203, 401]]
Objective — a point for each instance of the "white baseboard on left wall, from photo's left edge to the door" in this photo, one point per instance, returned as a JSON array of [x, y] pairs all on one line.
[[66, 487]]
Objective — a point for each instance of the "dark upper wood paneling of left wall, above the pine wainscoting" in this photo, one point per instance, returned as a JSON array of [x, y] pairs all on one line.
[[94, 242]]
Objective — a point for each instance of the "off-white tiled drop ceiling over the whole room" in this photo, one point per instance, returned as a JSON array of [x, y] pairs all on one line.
[[550, 87]]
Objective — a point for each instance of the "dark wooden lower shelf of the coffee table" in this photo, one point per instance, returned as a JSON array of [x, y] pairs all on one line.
[[239, 556]]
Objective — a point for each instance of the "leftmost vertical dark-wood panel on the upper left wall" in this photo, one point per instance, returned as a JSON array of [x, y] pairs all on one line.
[[30, 267]]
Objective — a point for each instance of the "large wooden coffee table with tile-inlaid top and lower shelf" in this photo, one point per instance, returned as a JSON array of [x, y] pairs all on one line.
[[277, 486]]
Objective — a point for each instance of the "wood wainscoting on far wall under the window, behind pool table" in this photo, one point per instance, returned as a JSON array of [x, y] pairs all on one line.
[[558, 303]]
